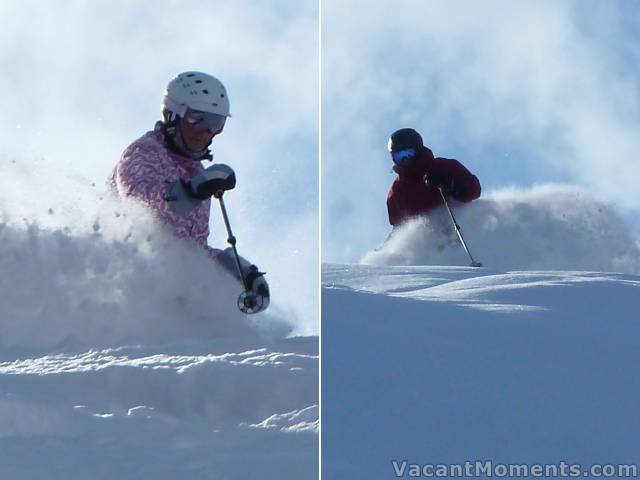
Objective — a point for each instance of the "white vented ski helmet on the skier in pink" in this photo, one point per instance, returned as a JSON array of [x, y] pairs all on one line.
[[197, 91]]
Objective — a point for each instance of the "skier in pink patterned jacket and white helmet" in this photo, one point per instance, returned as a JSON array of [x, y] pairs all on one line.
[[163, 168]]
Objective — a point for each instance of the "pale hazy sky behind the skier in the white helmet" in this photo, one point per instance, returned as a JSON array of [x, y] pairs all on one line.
[[82, 80]]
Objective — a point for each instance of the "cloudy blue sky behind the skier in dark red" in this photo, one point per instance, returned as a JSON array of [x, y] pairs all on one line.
[[521, 92]]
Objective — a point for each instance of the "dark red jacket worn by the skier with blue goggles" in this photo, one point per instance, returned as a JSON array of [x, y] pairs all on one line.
[[409, 196]]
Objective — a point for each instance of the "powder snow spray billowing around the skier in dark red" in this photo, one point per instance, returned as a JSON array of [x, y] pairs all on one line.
[[555, 227]]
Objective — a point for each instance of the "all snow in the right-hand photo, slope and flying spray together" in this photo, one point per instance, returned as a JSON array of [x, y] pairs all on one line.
[[528, 360]]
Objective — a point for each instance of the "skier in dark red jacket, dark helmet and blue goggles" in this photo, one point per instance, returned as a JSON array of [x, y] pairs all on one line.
[[420, 174]]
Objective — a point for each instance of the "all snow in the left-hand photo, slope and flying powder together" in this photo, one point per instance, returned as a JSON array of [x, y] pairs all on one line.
[[123, 355]]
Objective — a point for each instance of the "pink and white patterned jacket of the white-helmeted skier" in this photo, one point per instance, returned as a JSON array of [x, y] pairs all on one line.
[[143, 171]]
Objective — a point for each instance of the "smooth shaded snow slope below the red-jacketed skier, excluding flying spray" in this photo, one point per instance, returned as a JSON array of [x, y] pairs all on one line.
[[437, 365]]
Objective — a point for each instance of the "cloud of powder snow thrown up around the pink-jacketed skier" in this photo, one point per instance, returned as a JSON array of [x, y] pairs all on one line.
[[82, 269]]
